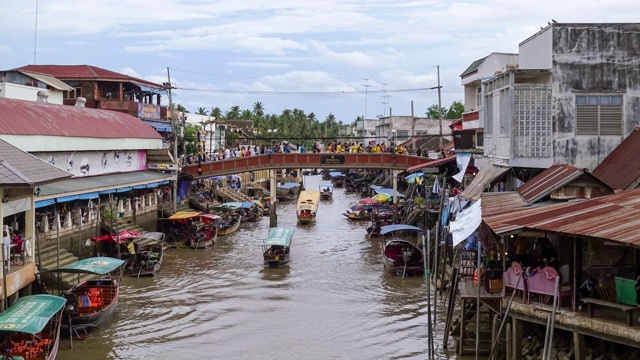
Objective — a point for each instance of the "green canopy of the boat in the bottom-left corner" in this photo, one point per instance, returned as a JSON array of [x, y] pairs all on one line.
[[30, 314]]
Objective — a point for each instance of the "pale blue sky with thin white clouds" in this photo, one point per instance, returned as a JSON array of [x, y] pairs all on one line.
[[348, 58]]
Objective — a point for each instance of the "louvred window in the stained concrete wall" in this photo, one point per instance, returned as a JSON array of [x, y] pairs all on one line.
[[599, 115]]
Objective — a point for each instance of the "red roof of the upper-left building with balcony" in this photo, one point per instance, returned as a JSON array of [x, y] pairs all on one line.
[[85, 72]]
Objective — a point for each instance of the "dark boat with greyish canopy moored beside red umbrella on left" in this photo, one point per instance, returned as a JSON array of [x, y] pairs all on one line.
[[149, 254]]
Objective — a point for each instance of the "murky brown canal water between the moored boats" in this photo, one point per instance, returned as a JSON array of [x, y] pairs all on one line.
[[334, 300]]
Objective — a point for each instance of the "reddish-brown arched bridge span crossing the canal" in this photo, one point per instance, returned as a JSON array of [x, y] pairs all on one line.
[[311, 161]]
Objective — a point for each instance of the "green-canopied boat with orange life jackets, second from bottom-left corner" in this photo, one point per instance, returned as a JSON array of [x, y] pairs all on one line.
[[91, 302]]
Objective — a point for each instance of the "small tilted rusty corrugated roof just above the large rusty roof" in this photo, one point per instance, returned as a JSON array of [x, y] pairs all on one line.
[[548, 181]]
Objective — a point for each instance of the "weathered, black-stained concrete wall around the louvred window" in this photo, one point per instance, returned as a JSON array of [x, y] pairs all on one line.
[[593, 59]]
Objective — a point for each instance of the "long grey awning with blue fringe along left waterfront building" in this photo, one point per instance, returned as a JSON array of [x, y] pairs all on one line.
[[90, 187]]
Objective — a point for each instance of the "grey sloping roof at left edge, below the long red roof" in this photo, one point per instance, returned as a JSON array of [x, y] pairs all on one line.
[[18, 168]]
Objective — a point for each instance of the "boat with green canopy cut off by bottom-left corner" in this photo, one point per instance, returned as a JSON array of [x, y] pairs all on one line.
[[26, 332]]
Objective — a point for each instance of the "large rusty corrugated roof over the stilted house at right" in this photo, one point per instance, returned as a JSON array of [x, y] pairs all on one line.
[[612, 217]]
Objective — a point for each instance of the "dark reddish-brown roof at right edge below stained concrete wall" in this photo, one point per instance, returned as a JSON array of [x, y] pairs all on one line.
[[621, 168]]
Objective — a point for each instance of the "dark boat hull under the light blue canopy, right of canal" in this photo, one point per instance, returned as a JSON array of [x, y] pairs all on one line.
[[403, 258]]
